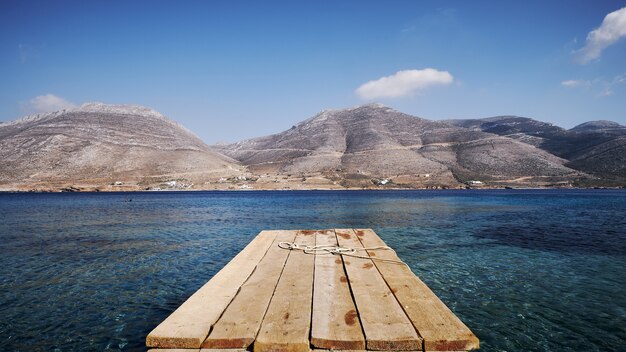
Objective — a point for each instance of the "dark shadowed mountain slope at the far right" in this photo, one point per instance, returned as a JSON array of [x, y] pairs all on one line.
[[595, 147]]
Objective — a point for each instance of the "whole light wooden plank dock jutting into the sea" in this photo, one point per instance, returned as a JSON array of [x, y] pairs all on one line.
[[270, 298]]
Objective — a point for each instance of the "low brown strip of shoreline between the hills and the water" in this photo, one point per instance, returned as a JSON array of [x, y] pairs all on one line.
[[248, 181]]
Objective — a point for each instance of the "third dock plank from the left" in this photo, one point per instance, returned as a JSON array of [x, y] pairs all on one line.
[[286, 325]]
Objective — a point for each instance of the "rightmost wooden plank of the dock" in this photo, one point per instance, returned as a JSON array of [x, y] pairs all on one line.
[[441, 329]]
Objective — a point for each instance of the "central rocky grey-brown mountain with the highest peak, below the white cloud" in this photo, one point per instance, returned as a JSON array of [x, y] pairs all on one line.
[[365, 144]]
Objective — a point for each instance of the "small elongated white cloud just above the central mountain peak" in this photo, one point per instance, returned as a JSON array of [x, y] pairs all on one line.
[[403, 83]]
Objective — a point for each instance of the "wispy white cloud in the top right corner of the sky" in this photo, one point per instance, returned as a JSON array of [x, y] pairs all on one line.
[[612, 29]]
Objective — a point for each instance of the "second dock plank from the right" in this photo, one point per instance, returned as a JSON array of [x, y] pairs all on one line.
[[385, 324]]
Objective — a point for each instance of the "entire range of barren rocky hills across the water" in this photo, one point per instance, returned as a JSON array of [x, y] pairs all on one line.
[[126, 147]]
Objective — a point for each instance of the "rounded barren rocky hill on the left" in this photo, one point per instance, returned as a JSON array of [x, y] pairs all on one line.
[[97, 144]]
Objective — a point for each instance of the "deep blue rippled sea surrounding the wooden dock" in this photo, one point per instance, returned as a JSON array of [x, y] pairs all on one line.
[[525, 270]]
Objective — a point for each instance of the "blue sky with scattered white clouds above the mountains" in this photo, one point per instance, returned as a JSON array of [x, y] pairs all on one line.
[[230, 70]]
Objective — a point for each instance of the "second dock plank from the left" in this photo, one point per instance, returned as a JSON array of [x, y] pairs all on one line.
[[241, 321]]
